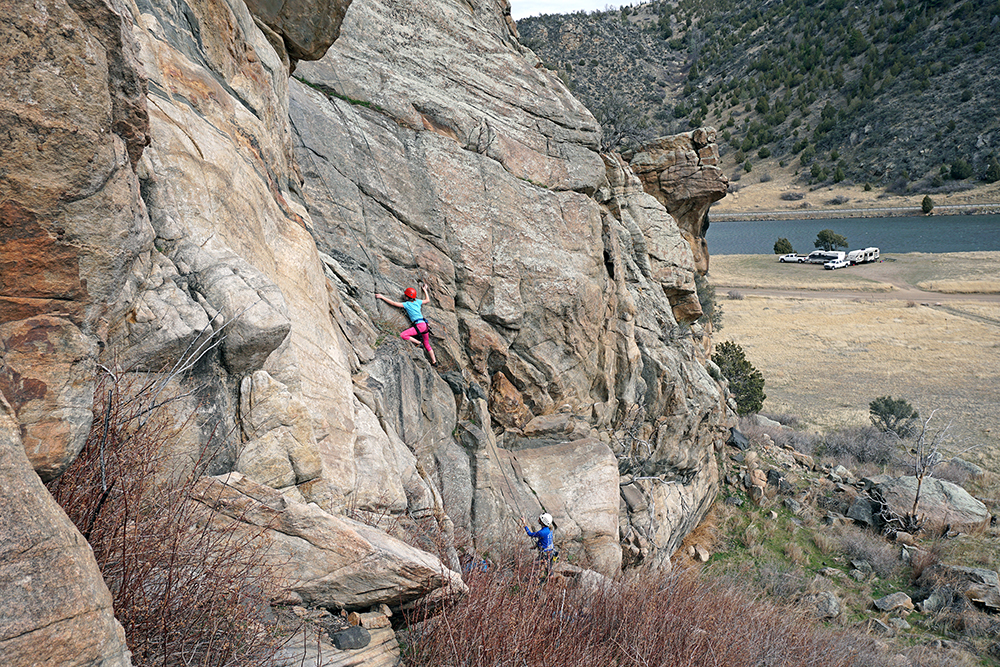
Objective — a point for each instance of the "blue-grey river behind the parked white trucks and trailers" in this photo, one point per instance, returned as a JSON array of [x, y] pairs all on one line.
[[947, 233]]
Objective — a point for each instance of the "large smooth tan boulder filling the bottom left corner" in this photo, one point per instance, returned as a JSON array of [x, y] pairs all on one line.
[[54, 606]]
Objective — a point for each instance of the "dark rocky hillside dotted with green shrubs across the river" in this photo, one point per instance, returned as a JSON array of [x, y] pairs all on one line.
[[898, 97]]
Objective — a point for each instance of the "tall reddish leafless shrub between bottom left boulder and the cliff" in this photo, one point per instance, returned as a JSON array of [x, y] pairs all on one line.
[[187, 591]]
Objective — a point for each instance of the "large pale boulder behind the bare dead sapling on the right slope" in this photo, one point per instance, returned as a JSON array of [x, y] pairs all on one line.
[[941, 503]]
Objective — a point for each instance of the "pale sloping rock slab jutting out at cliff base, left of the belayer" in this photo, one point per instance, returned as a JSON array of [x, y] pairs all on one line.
[[330, 561]]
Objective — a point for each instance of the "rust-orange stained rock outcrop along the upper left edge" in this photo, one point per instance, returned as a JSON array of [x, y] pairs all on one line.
[[72, 223]]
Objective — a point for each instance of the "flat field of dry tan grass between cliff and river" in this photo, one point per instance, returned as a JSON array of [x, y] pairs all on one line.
[[827, 352]]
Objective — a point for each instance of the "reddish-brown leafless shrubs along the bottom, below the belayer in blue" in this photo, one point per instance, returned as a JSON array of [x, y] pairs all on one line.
[[509, 620]]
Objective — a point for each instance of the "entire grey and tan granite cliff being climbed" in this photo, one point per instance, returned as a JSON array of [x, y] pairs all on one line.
[[200, 190]]
